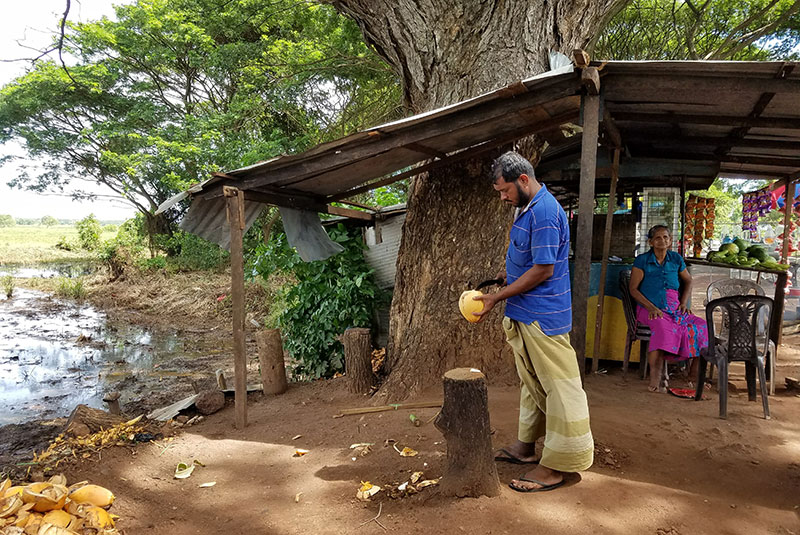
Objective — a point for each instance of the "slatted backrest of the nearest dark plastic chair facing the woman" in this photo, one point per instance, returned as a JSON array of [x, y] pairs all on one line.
[[743, 313]]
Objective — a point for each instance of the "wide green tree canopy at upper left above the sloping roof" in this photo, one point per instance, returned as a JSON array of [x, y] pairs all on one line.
[[175, 89]]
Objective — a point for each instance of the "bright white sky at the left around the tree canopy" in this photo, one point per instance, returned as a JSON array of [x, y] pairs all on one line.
[[32, 23]]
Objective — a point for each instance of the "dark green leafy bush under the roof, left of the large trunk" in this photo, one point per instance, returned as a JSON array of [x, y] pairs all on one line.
[[328, 297]]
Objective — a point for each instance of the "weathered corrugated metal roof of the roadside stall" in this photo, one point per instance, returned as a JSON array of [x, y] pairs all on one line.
[[693, 118]]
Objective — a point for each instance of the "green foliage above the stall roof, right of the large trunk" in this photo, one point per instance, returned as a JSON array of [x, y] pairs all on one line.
[[711, 29]]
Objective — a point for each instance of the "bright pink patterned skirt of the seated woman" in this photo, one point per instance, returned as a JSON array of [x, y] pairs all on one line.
[[680, 335]]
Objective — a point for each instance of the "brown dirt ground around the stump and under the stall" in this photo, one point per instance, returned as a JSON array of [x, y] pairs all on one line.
[[664, 465]]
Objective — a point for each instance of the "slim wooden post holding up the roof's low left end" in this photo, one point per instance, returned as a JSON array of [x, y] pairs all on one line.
[[235, 204]]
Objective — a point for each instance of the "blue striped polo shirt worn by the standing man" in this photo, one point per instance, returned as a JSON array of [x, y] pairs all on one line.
[[540, 235]]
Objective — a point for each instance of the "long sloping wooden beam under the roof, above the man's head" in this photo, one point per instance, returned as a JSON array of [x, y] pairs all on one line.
[[459, 156]]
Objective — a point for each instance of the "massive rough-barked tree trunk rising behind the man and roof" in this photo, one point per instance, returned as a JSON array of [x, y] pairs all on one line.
[[456, 229]]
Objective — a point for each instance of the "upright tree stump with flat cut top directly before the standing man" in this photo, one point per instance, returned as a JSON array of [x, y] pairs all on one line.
[[464, 422]]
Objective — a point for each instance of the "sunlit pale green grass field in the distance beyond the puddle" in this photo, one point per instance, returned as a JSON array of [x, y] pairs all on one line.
[[30, 244]]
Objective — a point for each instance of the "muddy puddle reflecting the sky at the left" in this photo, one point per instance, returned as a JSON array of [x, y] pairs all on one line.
[[56, 354]]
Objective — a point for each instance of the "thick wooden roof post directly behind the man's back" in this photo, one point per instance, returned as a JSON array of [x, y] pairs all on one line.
[[583, 240]]
